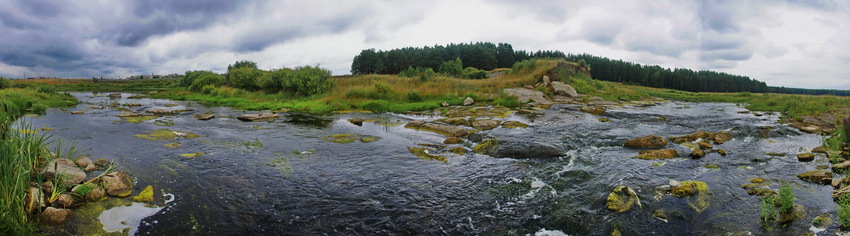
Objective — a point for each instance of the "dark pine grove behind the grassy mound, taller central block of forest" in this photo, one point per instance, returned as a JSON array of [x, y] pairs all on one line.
[[482, 55]]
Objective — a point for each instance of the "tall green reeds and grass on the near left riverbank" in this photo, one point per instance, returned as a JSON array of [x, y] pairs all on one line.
[[21, 154]]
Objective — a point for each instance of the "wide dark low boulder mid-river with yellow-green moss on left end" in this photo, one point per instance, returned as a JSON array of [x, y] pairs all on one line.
[[518, 149]]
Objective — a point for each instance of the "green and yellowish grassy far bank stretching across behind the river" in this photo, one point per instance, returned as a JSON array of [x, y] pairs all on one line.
[[382, 93]]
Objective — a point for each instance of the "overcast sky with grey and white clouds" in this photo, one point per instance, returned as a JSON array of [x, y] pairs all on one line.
[[796, 43]]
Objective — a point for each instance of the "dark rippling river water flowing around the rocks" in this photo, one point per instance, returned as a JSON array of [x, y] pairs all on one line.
[[280, 177]]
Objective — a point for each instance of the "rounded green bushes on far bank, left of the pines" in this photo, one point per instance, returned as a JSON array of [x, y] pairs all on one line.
[[301, 81]]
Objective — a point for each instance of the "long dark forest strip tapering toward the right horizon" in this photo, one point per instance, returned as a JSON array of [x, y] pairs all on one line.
[[679, 78]]
